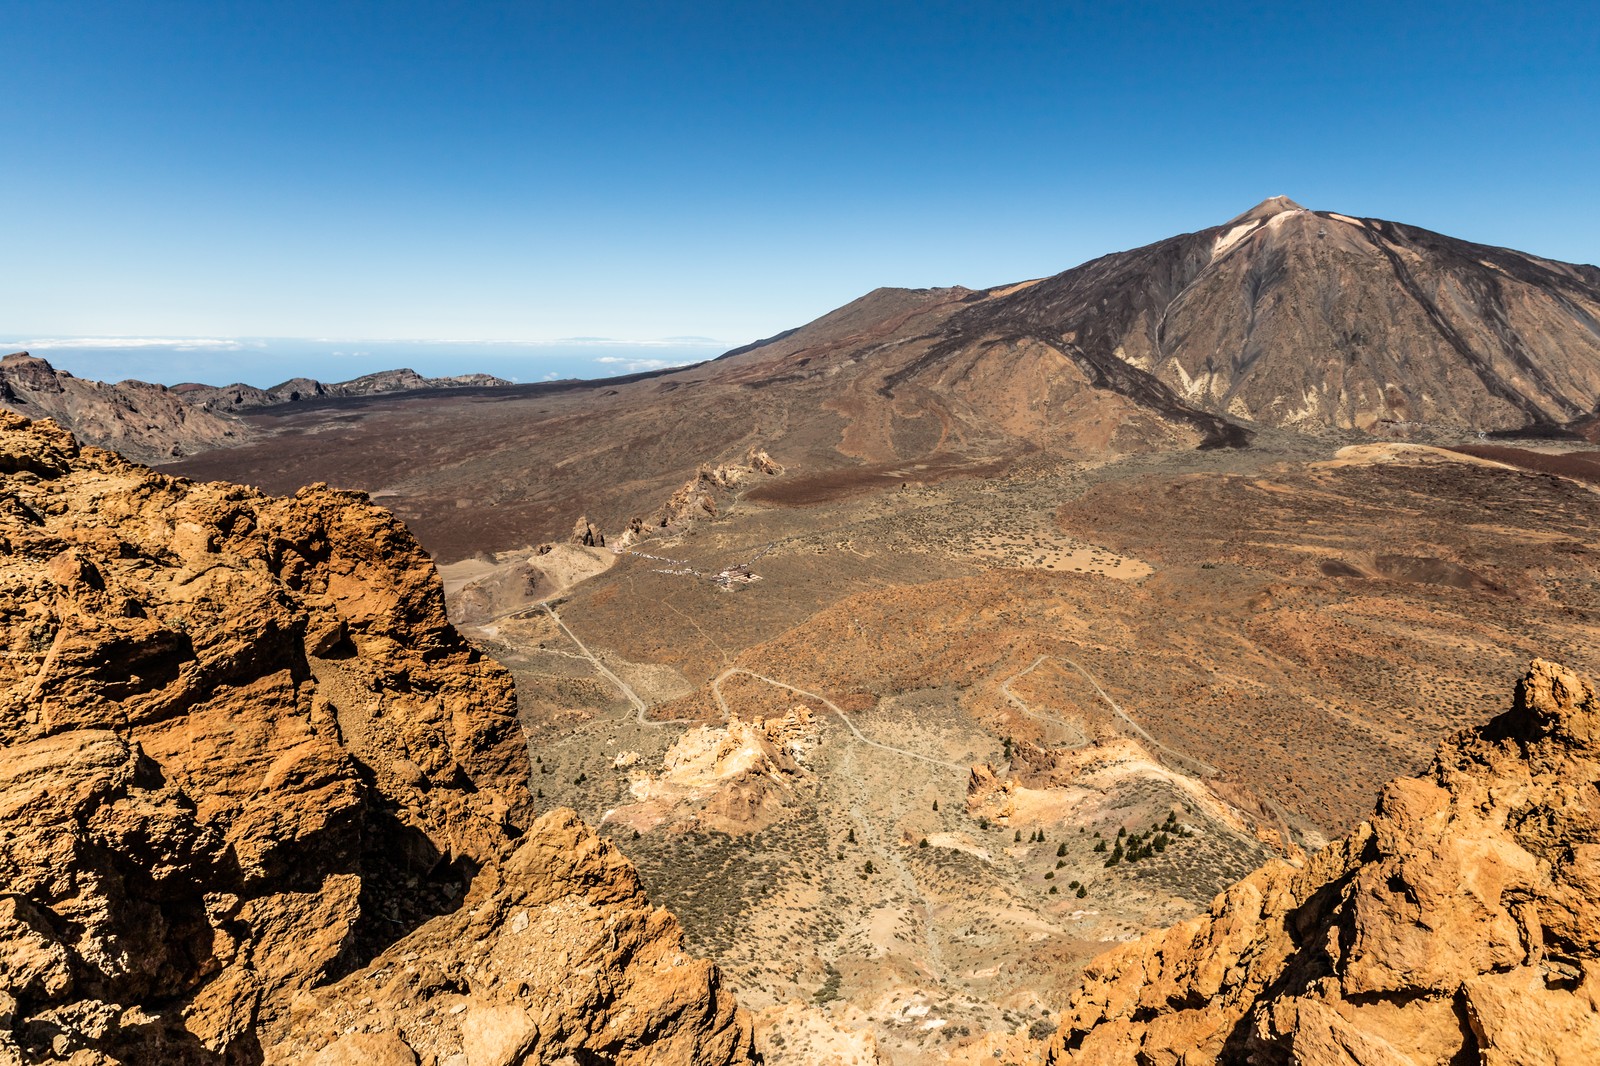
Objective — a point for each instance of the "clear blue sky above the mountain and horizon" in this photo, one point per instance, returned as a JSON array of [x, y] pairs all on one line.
[[719, 172]]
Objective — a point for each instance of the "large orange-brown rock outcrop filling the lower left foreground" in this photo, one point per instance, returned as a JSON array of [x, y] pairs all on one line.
[[260, 803]]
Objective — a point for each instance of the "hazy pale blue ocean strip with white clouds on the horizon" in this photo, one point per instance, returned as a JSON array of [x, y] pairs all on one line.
[[268, 361]]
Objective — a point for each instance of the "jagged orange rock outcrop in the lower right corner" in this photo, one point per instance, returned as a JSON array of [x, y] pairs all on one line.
[[1460, 926]]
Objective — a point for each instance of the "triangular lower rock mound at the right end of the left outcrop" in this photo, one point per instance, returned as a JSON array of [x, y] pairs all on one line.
[[479, 982]]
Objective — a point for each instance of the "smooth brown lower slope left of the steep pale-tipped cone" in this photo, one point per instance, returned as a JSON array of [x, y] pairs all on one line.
[[514, 467]]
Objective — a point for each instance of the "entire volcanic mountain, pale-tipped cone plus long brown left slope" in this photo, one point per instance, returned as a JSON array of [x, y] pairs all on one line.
[[1281, 318]]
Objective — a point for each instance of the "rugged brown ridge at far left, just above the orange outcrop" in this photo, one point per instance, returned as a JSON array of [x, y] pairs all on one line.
[[143, 422]]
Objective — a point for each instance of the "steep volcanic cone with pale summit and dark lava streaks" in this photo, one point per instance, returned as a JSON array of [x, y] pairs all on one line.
[[1294, 318]]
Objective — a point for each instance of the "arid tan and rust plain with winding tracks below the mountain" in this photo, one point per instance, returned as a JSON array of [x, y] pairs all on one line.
[[1004, 668]]
